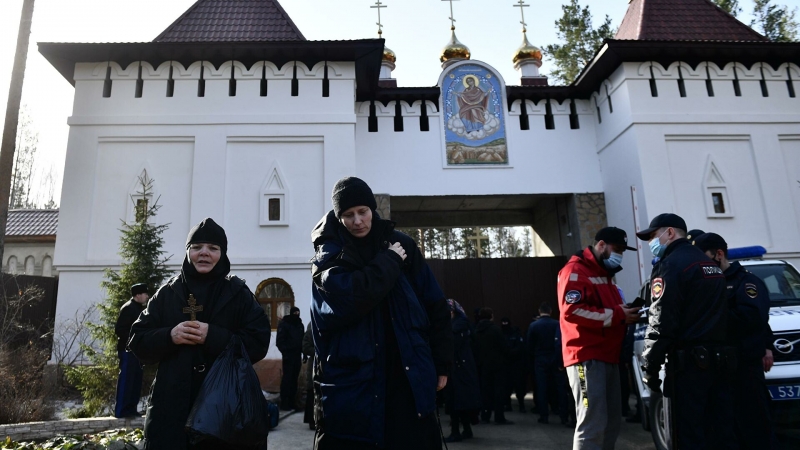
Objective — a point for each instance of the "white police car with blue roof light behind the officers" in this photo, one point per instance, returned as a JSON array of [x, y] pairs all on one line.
[[783, 380]]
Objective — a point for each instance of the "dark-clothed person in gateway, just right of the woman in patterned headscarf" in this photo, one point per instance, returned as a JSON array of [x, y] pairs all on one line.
[[493, 354]]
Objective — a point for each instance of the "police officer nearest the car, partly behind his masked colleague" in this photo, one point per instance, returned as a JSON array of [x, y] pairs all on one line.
[[748, 328]]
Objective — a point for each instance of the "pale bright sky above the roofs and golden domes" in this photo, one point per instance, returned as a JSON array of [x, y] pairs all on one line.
[[415, 29]]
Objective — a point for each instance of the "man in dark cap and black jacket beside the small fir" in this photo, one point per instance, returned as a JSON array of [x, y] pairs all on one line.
[[129, 383]]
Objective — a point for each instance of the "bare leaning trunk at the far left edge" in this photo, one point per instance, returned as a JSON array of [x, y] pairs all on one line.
[[12, 117]]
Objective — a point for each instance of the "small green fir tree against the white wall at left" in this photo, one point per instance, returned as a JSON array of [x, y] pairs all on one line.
[[143, 261]]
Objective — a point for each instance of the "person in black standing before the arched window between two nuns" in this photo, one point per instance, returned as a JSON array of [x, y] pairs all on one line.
[[290, 342]]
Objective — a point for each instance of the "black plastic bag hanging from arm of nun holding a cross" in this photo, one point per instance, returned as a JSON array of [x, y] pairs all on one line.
[[230, 406]]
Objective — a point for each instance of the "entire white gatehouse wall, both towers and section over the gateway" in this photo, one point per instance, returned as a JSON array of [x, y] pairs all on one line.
[[219, 156]]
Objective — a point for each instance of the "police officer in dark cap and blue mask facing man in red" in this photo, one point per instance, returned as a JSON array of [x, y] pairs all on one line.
[[688, 327]]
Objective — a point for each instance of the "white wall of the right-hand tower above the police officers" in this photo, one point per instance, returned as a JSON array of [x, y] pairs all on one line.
[[664, 146]]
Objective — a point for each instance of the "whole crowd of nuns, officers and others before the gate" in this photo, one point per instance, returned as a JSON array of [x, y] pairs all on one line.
[[385, 349]]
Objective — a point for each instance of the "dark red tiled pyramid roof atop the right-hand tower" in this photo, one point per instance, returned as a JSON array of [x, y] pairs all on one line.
[[685, 20]]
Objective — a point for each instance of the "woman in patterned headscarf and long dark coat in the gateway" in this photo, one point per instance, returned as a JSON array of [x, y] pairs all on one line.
[[463, 395]]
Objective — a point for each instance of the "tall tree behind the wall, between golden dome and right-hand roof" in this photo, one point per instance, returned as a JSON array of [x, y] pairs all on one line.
[[580, 41]]
